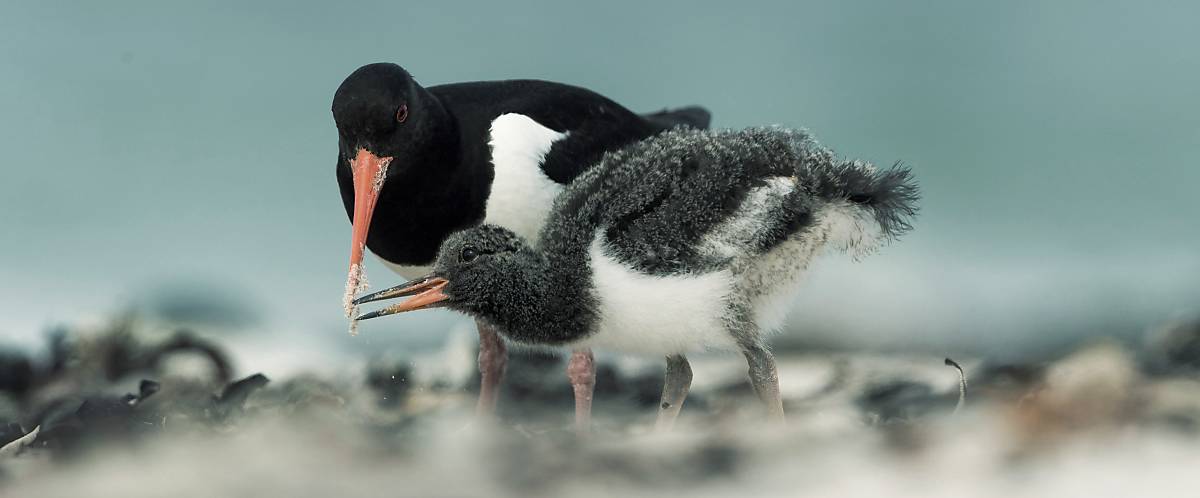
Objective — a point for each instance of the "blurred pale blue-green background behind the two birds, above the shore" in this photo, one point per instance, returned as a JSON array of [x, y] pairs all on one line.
[[178, 158]]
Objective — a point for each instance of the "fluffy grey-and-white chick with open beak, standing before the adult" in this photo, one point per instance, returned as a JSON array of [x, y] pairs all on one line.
[[686, 242]]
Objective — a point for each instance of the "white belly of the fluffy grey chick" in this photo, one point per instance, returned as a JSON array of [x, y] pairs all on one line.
[[659, 315]]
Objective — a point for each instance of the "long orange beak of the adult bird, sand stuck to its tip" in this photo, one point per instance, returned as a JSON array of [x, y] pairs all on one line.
[[369, 172]]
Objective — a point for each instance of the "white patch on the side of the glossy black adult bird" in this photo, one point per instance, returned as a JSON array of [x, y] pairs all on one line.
[[521, 194]]
